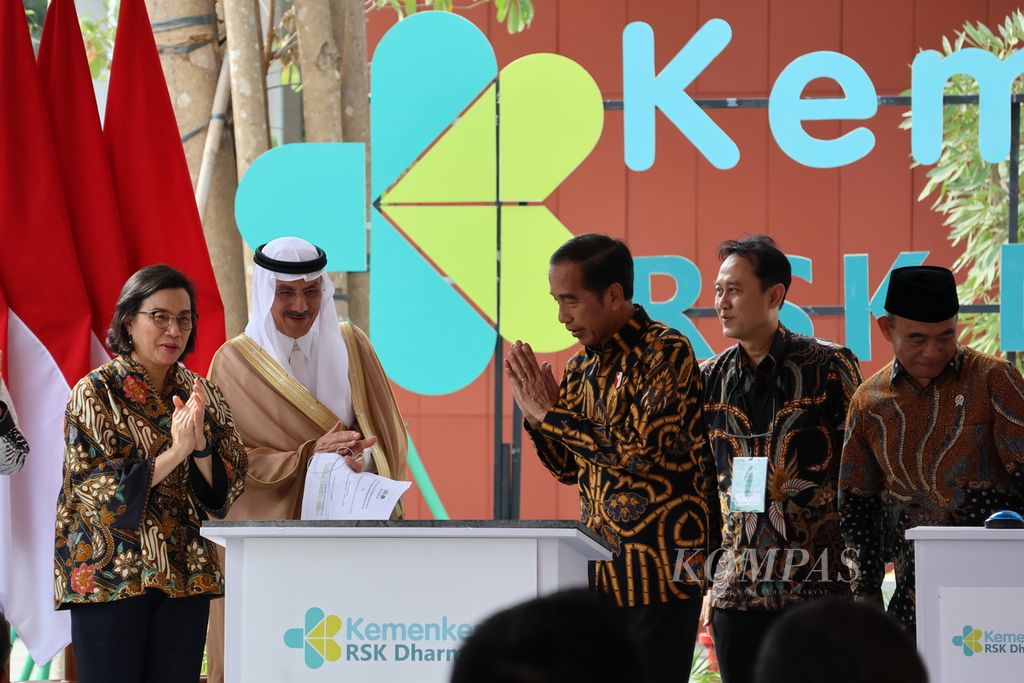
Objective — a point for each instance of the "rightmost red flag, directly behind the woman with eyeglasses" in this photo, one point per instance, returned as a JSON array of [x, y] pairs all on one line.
[[151, 177]]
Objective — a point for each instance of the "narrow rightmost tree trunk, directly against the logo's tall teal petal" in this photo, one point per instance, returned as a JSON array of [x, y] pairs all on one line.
[[351, 33]]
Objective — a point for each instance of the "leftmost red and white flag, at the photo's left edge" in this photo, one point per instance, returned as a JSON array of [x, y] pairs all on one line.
[[48, 343]]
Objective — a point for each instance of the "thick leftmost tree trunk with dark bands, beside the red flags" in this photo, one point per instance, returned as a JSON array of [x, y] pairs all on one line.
[[187, 35]]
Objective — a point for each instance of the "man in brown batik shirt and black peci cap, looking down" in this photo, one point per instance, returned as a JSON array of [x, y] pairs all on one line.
[[935, 439]]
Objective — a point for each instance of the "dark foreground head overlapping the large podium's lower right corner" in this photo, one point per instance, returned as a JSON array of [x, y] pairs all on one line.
[[568, 636]]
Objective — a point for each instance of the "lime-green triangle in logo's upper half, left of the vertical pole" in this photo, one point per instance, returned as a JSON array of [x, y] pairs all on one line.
[[460, 167]]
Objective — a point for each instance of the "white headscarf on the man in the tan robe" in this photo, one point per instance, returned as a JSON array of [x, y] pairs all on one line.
[[328, 357]]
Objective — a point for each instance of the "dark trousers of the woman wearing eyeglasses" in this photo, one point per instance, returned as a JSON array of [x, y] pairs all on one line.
[[148, 639]]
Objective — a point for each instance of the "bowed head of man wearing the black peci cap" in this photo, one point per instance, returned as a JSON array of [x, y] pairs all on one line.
[[922, 311]]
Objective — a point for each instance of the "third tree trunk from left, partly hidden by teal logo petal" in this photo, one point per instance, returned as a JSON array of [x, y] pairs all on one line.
[[320, 61]]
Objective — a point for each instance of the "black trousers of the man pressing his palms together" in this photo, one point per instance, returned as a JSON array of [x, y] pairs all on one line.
[[667, 635]]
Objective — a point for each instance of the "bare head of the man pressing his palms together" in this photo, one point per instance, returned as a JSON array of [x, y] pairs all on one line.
[[591, 279]]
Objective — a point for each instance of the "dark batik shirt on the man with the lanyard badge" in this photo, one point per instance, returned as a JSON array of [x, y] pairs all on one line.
[[791, 410]]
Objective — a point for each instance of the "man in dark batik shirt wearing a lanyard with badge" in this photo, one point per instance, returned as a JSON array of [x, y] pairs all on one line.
[[775, 409]]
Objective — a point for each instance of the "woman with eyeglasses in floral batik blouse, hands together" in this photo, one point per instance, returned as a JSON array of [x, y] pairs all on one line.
[[150, 453]]
